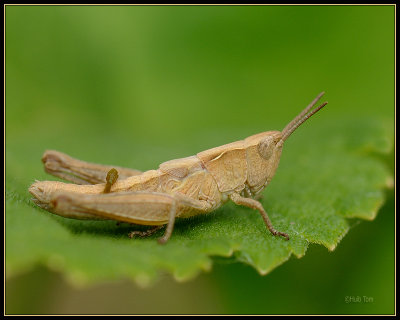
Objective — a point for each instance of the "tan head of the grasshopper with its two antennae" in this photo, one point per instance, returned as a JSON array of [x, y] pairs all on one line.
[[264, 149]]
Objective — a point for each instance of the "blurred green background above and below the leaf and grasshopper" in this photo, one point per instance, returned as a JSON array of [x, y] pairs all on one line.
[[138, 85]]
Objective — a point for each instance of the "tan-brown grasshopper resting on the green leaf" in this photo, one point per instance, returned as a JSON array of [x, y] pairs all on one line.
[[185, 187]]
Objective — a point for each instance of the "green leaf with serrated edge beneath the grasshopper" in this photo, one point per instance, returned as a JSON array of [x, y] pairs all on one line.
[[329, 175]]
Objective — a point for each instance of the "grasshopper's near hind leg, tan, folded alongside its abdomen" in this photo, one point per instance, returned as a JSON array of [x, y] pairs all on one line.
[[144, 208]]
